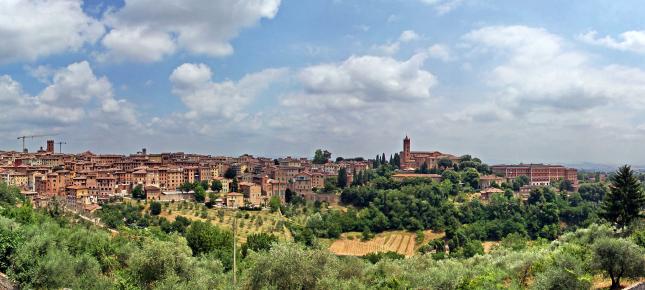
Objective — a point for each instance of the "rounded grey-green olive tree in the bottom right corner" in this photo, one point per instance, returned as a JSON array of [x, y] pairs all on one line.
[[618, 258]]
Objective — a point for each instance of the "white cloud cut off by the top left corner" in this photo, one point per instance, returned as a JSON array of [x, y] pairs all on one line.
[[33, 29]]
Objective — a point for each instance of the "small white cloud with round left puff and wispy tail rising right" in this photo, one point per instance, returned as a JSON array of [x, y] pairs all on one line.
[[228, 99]]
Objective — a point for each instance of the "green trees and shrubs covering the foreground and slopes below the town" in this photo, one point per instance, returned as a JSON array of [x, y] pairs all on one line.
[[544, 243]]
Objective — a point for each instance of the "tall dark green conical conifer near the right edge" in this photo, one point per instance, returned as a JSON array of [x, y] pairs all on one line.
[[625, 199]]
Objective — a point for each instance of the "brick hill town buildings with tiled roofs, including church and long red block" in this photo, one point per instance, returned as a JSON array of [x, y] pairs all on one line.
[[87, 180]]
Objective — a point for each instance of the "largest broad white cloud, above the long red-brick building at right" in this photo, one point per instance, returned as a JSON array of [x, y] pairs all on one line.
[[542, 72]]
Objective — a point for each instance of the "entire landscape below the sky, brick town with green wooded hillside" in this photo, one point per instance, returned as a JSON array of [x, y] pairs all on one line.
[[129, 215]]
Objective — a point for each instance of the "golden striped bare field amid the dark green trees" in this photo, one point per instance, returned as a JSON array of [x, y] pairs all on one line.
[[402, 242]]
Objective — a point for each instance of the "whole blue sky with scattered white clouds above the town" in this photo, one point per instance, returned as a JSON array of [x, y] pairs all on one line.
[[508, 81]]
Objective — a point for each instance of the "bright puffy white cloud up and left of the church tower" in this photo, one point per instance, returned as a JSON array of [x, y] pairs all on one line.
[[362, 81]]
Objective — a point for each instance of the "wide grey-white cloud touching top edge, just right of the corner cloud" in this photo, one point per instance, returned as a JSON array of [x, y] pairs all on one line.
[[148, 30]]
